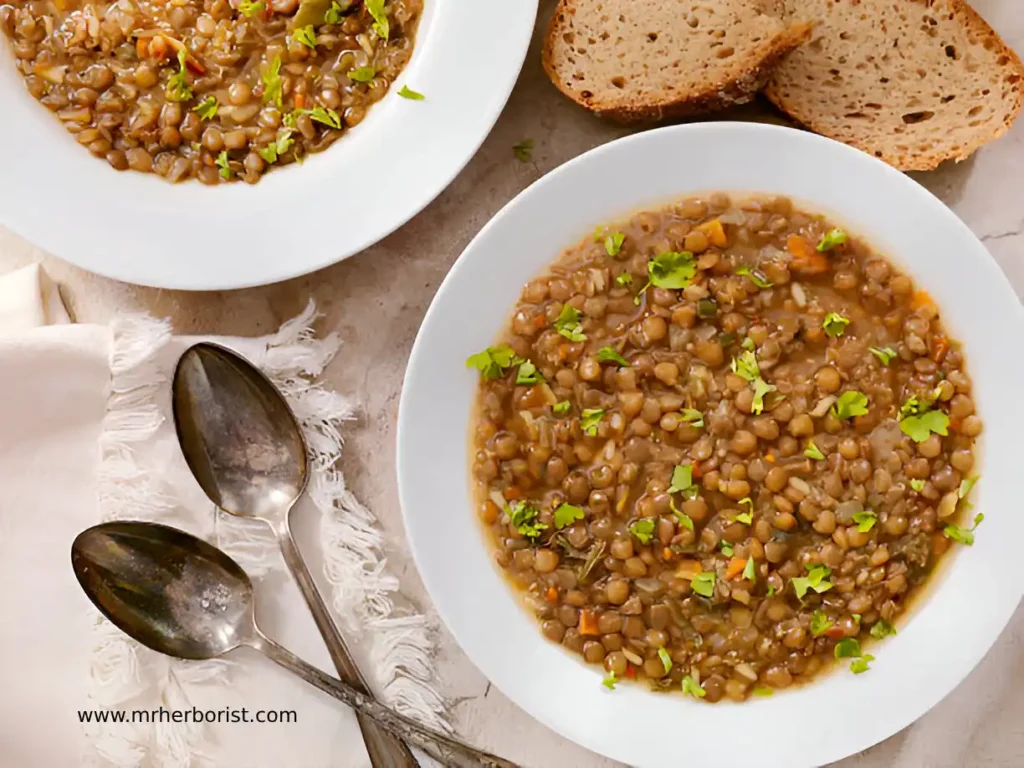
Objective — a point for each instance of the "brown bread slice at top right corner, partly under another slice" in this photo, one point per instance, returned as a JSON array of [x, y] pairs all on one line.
[[913, 82]]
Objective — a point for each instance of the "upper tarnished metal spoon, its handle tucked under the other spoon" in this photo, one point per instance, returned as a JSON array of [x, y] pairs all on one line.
[[245, 448]]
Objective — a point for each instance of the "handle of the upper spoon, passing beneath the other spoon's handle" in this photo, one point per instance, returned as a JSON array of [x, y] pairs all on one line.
[[385, 750]]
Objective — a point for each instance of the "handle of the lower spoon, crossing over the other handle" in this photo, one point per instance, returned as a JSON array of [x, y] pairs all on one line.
[[449, 751]]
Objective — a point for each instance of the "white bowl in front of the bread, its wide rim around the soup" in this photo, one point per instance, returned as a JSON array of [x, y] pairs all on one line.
[[954, 624]]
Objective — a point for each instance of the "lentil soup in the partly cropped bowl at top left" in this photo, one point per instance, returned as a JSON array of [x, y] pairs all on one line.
[[218, 91]]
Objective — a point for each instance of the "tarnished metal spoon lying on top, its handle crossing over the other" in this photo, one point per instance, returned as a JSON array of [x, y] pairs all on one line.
[[181, 596]]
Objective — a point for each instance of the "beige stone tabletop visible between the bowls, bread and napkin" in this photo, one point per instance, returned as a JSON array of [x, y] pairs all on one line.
[[377, 300]]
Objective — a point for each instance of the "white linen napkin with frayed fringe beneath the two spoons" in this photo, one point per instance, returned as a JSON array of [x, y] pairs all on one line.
[[86, 436]]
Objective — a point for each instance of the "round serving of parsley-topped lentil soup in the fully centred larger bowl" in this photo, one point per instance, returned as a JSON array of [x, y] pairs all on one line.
[[721, 446]]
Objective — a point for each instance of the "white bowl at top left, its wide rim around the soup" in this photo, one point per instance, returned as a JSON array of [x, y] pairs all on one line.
[[300, 219]]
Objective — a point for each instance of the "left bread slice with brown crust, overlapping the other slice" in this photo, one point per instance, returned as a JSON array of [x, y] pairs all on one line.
[[647, 60]]
